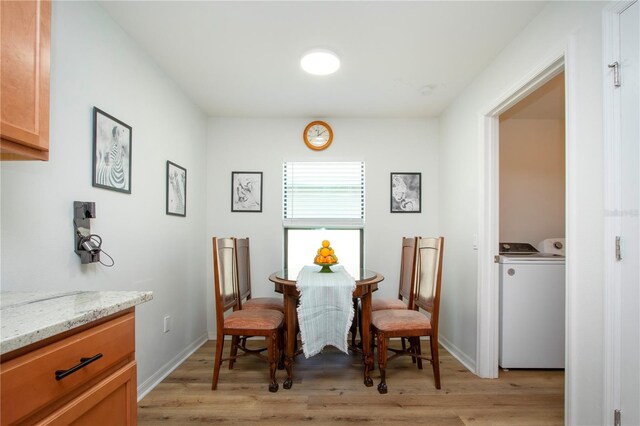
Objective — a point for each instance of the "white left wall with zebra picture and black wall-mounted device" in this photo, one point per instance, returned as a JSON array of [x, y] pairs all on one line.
[[94, 63]]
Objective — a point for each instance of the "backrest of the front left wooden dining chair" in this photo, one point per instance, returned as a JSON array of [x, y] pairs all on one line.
[[224, 273]]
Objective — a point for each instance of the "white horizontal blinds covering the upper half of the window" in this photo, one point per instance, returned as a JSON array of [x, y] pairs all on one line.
[[323, 194]]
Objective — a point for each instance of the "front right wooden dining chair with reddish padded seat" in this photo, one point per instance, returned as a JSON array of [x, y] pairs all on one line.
[[413, 324]]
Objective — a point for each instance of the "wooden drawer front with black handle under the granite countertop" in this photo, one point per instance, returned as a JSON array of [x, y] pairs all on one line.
[[29, 382]]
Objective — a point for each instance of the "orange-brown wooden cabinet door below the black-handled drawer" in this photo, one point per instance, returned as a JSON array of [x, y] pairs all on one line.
[[113, 401]]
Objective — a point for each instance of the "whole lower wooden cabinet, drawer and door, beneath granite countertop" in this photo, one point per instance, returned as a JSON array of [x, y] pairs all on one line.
[[86, 377]]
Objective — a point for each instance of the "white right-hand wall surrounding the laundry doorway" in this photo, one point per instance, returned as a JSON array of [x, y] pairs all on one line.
[[558, 25]]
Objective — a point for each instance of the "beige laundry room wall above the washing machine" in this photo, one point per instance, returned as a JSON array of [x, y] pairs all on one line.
[[532, 183]]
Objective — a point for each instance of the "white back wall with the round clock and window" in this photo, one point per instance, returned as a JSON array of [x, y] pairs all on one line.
[[264, 144]]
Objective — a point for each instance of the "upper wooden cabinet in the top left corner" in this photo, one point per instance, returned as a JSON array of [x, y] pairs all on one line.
[[24, 75]]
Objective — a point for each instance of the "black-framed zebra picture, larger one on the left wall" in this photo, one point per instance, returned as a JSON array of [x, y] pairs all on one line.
[[111, 152]]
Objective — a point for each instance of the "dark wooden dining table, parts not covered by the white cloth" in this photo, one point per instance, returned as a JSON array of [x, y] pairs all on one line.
[[366, 283]]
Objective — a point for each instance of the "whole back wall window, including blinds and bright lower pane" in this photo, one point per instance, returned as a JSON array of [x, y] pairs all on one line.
[[323, 200]]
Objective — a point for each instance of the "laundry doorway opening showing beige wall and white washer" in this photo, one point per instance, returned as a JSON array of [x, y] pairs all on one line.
[[531, 230]]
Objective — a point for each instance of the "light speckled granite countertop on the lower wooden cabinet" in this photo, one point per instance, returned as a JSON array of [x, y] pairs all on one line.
[[28, 317]]
